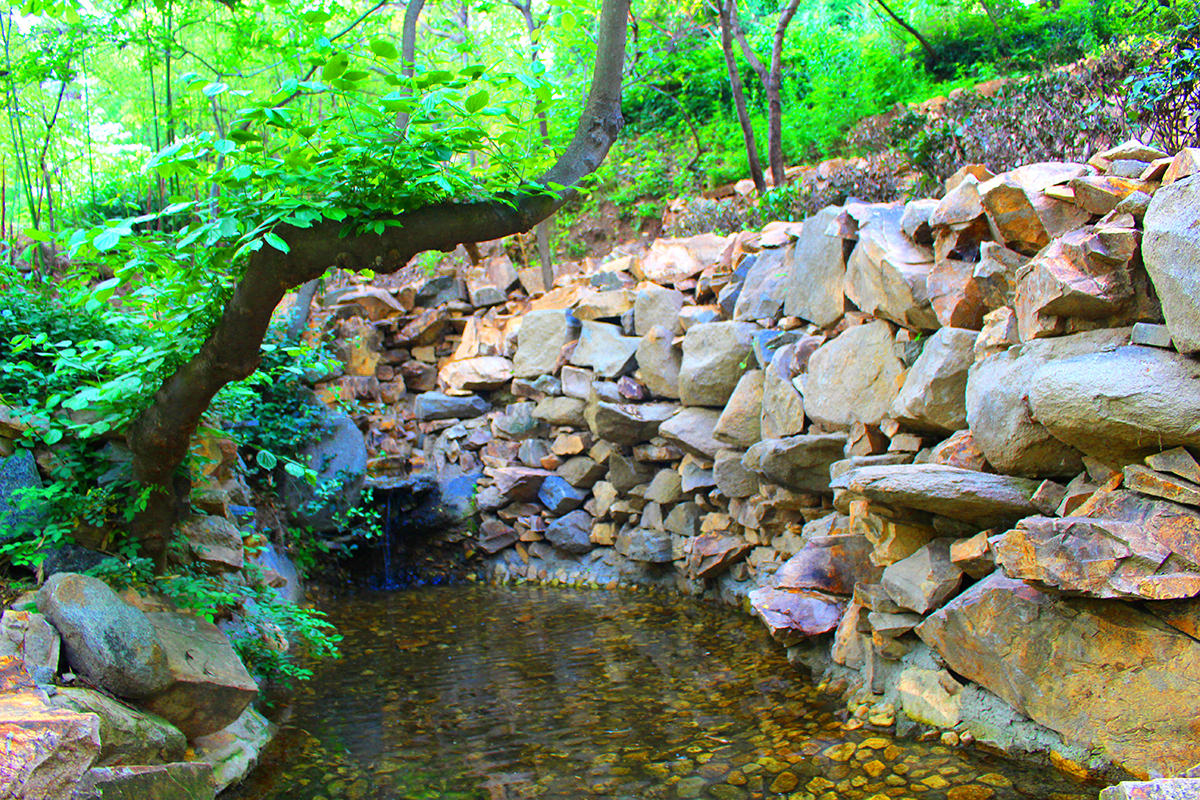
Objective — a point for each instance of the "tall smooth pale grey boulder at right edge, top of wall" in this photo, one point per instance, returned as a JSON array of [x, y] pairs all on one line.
[[1171, 249]]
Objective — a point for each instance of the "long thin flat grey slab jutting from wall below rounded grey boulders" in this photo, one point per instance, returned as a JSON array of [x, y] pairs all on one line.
[[962, 495]]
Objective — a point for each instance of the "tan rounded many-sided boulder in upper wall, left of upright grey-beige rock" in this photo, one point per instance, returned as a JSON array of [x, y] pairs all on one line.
[[854, 378]]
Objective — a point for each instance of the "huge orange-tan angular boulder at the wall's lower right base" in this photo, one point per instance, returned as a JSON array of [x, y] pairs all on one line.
[[1101, 673]]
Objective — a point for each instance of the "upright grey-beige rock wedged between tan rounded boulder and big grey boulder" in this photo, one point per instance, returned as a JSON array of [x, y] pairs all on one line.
[[934, 393]]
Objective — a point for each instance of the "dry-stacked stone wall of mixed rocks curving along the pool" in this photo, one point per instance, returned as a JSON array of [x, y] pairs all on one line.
[[940, 448]]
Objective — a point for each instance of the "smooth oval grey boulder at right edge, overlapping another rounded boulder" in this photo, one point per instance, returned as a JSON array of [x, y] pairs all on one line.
[[1120, 406]]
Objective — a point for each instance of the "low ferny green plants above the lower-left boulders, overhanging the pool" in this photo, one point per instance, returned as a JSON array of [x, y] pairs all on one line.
[[267, 627]]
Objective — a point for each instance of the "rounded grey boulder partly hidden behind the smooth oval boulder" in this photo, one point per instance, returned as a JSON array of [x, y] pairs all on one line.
[[999, 406]]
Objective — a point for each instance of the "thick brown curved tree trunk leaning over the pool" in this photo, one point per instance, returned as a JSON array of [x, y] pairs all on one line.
[[161, 436]]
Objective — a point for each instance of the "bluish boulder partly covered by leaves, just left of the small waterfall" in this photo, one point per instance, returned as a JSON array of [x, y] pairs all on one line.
[[340, 460]]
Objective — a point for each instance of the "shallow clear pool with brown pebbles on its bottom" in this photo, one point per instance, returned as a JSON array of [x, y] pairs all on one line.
[[499, 694]]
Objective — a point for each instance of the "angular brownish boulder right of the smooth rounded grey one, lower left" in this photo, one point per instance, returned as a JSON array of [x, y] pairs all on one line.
[[209, 687]]
